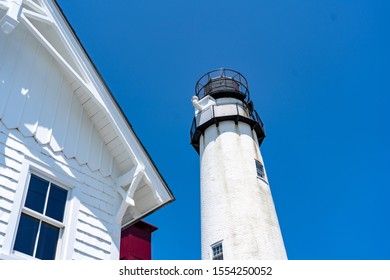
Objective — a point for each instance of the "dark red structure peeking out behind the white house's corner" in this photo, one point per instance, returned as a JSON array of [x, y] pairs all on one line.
[[136, 242]]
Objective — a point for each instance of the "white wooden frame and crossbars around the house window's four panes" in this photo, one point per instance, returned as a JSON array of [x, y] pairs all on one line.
[[42, 217]]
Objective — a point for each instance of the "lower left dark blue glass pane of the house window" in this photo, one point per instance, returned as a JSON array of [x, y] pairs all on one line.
[[26, 235]]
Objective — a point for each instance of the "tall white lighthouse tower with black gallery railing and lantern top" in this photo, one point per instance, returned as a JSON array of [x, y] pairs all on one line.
[[238, 217]]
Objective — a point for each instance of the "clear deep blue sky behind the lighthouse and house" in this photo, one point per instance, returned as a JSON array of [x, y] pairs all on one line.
[[319, 76]]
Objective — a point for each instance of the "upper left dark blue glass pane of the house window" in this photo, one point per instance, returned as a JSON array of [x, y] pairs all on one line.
[[36, 194]]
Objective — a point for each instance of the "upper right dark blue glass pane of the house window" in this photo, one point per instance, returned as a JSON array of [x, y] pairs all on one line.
[[56, 203]]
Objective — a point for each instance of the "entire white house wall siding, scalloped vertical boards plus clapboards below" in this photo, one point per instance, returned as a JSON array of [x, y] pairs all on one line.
[[41, 119]]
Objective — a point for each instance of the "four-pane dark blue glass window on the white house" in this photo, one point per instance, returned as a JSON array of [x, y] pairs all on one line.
[[41, 220]]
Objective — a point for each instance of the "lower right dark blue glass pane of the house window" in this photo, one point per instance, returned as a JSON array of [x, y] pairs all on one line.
[[47, 243]]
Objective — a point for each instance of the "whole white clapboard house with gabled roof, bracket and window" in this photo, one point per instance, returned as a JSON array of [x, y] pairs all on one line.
[[72, 171]]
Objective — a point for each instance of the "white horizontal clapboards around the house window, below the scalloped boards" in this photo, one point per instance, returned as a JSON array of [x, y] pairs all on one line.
[[94, 232]]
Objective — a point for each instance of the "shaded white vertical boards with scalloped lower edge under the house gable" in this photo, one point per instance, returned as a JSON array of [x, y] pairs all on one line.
[[40, 102]]
